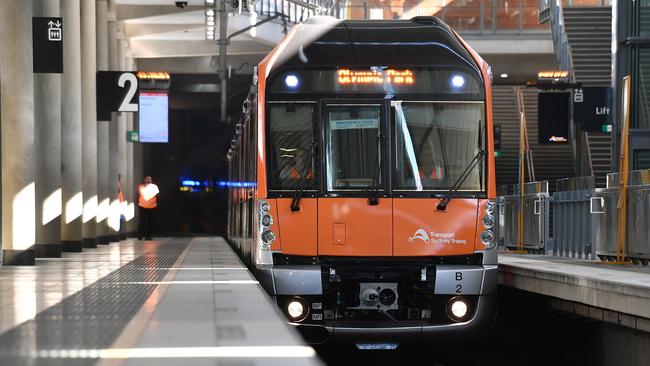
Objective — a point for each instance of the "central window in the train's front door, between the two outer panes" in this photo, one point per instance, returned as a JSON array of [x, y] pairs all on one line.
[[353, 147]]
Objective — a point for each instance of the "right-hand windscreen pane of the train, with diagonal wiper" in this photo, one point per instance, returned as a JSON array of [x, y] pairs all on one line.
[[434, 144]]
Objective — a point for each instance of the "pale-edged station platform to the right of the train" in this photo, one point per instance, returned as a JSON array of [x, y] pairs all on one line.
[[617, 294]]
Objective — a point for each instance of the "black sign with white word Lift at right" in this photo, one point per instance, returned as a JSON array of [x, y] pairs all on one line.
[[592, 108]]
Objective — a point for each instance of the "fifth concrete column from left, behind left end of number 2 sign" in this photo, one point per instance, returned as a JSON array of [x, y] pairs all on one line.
[[102, 129]]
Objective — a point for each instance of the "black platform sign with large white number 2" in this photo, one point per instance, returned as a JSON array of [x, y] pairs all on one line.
[[117, 91]]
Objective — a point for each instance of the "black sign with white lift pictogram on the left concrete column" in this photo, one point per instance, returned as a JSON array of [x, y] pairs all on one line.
[[47, 44]]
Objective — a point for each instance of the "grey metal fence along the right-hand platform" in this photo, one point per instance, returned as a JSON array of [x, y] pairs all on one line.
[[584, 218]]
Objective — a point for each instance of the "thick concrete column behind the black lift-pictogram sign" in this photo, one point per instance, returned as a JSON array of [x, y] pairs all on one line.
[[47, 146]]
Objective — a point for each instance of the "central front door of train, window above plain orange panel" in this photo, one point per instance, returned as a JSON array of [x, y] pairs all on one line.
[[354, 213]]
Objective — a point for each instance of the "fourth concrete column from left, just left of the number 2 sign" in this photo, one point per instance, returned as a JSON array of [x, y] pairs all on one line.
[[89, 123]]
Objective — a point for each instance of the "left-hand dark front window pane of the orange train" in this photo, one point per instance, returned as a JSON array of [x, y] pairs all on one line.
[[291, 135]]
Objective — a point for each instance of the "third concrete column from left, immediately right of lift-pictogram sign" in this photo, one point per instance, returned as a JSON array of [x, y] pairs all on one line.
[[71, 192]]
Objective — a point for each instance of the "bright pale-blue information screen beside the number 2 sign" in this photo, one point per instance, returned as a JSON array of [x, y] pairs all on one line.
[[154, 117]]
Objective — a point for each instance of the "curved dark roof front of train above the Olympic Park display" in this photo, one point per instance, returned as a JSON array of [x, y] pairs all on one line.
[[325, 42]]
